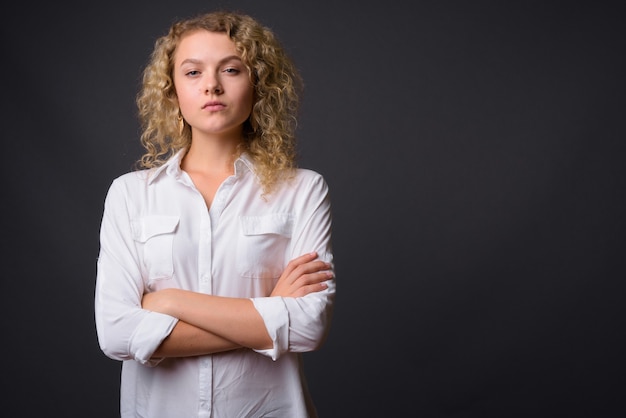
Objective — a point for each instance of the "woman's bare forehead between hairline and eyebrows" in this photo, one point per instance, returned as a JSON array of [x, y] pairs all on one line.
[[204, 45]]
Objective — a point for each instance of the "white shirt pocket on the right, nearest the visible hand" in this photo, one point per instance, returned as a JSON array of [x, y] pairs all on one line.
[[262, 244]]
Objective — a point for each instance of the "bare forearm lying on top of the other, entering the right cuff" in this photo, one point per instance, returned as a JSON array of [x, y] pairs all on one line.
[[231, 319]]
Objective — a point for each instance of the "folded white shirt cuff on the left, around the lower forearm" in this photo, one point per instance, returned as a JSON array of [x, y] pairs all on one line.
[[152, 330]]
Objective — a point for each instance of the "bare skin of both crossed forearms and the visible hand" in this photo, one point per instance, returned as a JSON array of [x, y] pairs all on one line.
[[211, 324]]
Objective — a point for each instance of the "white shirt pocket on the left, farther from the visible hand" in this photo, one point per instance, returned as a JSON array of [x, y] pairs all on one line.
[[155, 238]]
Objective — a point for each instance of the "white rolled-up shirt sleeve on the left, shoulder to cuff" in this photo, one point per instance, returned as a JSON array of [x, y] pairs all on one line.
[[125, 330]]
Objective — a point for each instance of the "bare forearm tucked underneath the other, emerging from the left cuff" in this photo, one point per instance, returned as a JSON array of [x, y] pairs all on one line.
[[186, 340]]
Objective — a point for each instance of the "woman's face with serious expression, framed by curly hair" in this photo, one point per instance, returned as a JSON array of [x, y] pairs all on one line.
[[214, 91]]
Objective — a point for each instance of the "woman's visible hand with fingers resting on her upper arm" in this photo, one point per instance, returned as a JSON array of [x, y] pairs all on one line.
[[303, 275]]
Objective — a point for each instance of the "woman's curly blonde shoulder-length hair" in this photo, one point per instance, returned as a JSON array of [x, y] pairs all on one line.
[[269, 132]]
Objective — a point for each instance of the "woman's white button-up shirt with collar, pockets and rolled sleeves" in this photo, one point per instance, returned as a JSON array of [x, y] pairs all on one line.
[[157, 233]]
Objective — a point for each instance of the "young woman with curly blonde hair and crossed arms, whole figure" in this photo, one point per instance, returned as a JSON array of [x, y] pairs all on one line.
[[215, 268]]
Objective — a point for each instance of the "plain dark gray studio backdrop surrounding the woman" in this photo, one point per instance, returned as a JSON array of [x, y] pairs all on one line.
[[475, 154]]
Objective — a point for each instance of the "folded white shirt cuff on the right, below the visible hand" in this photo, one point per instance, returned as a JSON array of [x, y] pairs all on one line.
[[276, 318]]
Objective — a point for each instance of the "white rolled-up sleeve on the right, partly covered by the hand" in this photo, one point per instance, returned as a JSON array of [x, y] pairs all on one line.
[[302, 324]]
